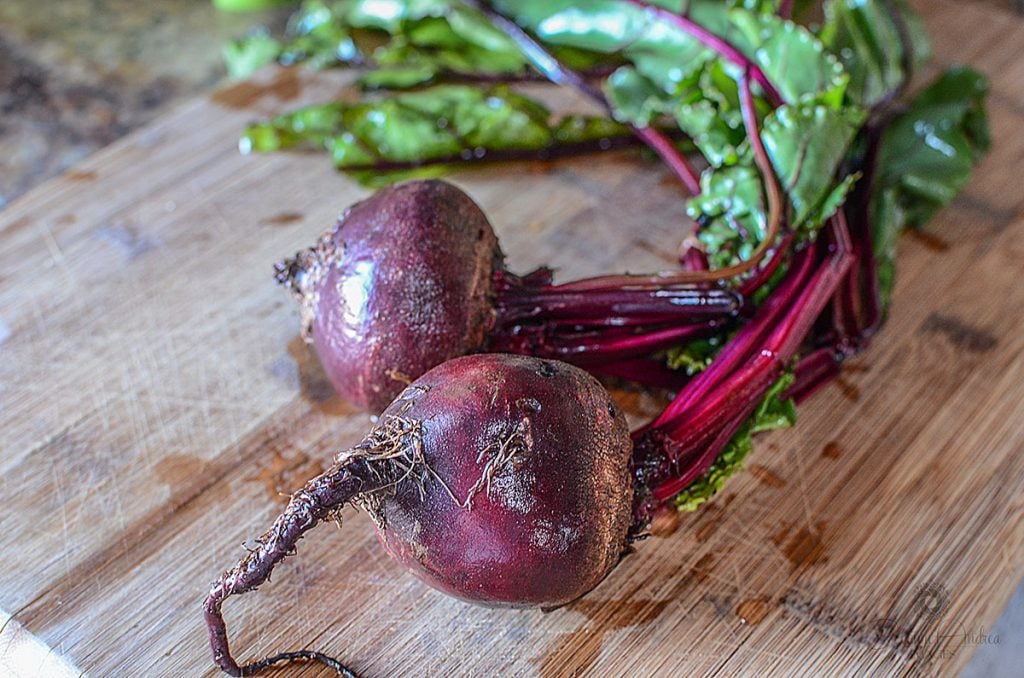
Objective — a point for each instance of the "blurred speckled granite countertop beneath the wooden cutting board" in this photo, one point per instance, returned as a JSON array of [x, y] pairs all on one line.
[[76, 75]]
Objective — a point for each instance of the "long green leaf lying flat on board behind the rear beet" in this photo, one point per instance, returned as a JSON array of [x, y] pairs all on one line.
[[391, 137]]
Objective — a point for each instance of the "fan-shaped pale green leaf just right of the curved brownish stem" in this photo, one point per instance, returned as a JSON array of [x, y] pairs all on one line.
[[806, 145]]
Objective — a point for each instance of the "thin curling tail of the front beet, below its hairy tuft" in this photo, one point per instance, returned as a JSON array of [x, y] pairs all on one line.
[[318, 500]]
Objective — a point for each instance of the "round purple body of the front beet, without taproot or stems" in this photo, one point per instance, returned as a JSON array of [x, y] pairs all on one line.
[[528, 495]]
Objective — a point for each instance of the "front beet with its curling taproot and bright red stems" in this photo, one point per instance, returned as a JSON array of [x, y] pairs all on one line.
[[511, 481]]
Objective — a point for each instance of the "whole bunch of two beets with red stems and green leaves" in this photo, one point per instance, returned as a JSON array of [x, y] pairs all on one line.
[[513, 480]]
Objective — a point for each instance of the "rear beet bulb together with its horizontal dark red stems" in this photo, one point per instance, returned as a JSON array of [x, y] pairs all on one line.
[[413, 277]]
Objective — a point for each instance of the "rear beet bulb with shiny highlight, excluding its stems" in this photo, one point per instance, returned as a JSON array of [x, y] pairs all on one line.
[[402, 284]]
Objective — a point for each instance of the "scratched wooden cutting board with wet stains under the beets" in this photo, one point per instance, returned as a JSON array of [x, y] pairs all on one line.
[[157, 406]]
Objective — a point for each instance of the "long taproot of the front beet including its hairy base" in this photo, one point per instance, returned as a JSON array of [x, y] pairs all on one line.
[[389, 454]]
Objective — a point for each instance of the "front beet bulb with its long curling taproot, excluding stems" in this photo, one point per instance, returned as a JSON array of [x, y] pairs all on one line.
[[501, 480]]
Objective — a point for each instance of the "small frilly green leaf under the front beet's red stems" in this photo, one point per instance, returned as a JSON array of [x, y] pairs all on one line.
[[774, 413]]
